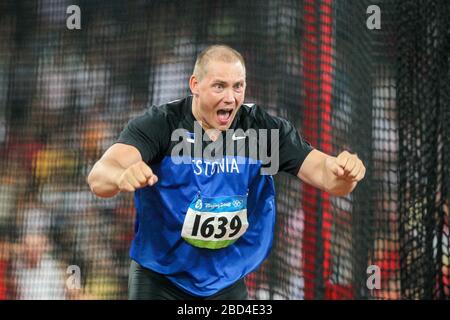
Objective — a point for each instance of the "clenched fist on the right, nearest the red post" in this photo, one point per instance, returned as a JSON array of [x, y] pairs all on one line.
[[347, 166]]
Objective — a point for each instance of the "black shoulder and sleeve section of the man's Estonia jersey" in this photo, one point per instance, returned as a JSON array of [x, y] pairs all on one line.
[[151, 133]]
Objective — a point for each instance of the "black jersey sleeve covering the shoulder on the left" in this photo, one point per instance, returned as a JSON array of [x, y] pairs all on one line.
[[148, 133]]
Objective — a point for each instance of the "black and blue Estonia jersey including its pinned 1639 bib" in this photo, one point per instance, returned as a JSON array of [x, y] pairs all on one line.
[[206, 224]]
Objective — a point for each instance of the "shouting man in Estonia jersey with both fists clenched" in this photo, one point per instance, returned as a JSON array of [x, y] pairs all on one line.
[[203, 223]]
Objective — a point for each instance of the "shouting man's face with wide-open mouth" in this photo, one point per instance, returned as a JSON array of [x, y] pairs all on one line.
[[219, 94]]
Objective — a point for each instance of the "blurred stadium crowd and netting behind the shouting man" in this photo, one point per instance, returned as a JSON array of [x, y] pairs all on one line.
[[384, 94]]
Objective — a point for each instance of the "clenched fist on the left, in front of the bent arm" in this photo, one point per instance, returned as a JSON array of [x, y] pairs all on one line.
[[136, 176]]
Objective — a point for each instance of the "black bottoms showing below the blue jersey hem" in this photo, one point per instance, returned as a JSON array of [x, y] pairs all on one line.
[[145, 284]]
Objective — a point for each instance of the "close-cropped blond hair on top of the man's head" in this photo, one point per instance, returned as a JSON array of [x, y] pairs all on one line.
[[221, 53]]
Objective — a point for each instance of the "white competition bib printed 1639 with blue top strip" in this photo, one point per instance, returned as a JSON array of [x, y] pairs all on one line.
[[215, 222]]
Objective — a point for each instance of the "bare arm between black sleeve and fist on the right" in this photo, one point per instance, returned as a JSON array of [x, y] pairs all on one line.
[[313, 168]]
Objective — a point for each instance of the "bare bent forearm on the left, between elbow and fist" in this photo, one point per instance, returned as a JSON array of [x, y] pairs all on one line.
[[103, 178]]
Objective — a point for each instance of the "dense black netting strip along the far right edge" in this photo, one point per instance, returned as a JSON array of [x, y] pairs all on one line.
[[423, 107]]
